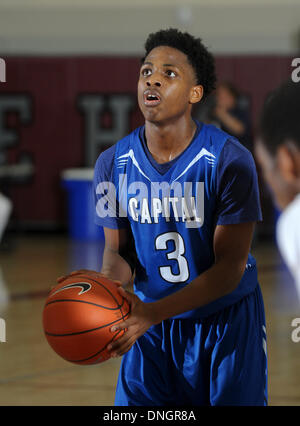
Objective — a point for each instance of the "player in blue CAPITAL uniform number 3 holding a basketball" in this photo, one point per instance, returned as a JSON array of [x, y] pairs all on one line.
[[186, 194]]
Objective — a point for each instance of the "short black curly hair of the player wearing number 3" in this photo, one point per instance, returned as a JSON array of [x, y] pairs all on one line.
[[198, 56]]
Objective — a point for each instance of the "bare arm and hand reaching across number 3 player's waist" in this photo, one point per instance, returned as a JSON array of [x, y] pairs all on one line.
[[231, 247]]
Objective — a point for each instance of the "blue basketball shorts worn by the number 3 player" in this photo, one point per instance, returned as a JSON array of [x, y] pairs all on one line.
[[219, 360]]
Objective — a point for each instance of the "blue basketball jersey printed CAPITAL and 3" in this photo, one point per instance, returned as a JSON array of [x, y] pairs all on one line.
[[172, 215]]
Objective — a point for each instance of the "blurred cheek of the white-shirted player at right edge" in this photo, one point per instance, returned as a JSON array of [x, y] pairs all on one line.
[[269, 166]]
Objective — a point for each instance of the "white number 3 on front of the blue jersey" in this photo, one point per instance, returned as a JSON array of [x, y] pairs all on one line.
[[177, 254]]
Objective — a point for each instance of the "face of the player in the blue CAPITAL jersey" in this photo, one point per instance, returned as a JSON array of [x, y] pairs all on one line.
[[167, 85]]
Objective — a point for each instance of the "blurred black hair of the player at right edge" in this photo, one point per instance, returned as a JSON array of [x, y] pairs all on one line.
[[279, 119]]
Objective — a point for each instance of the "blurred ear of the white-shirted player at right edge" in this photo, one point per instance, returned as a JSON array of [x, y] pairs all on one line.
[[288, 161]]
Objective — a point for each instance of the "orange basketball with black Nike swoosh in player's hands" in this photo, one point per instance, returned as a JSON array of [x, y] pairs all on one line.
[[78, 316]]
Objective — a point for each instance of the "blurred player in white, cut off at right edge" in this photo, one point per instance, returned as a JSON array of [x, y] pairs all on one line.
[[278, 152]]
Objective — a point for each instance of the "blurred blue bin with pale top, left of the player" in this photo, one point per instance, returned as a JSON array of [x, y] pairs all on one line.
[[81, 208]]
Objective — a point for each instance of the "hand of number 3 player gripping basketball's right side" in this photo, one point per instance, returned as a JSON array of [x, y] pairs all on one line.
[[141, 318]]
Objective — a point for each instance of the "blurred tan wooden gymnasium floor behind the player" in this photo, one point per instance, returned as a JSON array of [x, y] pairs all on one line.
[[32, 374]]
